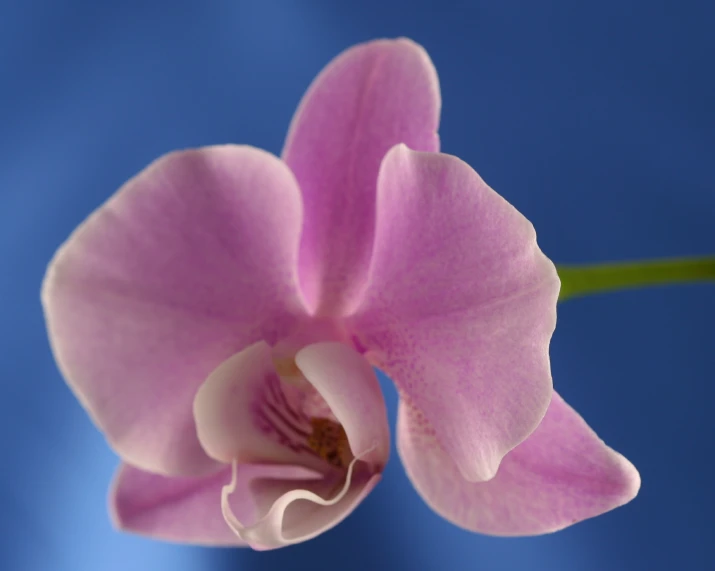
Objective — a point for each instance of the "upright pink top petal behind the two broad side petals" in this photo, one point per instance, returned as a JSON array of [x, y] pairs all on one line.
[[366, 100]]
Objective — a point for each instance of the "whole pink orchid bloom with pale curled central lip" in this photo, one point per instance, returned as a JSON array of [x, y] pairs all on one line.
[[220, 317]]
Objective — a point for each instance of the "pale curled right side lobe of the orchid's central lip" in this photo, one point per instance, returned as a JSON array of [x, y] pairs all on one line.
[[348, 384]]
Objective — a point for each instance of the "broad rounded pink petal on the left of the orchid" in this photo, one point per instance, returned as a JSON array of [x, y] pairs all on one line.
[[189, 262]]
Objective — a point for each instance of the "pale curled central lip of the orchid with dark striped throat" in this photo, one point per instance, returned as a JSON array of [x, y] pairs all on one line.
[[282, 407]]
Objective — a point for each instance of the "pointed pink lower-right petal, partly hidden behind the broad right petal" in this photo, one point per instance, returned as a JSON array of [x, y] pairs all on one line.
[[562, 474]]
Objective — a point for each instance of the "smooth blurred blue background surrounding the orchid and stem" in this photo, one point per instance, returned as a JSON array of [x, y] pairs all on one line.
[[595, 119]]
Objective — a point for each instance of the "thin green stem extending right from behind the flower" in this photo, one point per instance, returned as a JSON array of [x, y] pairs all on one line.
[[582, 280]]
